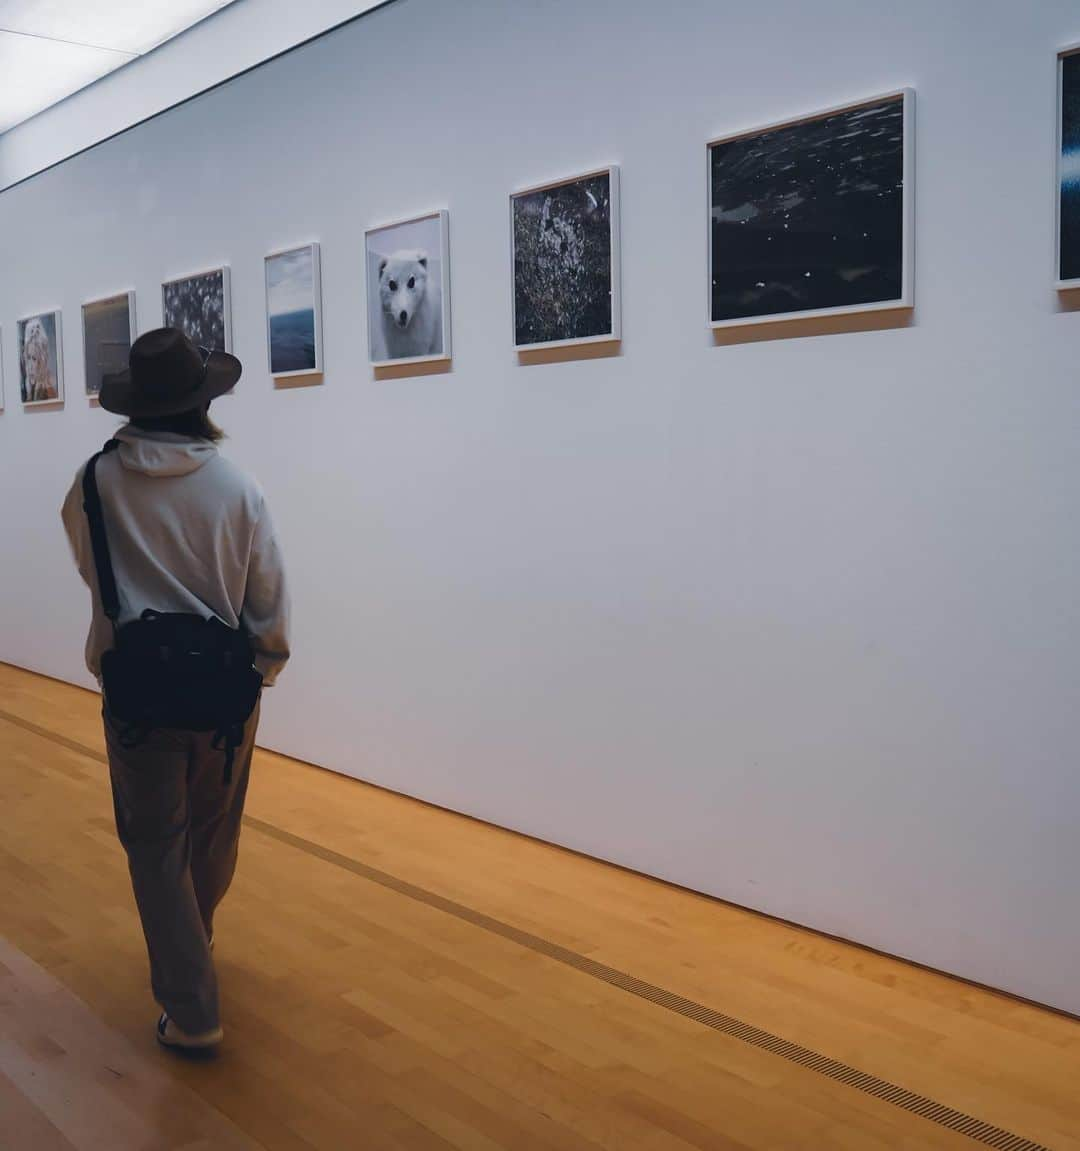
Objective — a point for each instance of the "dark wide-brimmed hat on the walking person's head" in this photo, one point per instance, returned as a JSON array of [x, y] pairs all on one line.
[[169, 375]]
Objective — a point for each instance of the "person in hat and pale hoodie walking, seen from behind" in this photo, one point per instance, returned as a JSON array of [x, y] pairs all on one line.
[[191, 620]]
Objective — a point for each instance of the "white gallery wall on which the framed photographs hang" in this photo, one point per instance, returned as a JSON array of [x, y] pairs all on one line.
[[794, 622]]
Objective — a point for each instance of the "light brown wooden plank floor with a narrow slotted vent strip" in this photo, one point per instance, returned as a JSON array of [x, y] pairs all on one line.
[[400, 978]]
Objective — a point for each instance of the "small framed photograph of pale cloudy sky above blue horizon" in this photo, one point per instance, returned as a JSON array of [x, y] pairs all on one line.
[[294, 312]]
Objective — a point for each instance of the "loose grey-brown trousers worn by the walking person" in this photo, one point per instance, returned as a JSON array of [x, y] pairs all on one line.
[[180, 826]]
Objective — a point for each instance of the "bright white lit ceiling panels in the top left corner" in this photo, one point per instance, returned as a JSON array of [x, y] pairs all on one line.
[[50, 49]]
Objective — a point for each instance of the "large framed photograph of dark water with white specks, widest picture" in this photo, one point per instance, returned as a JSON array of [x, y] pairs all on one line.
[[813, 217]]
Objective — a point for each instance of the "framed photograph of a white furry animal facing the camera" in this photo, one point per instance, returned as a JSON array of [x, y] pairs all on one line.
[[409, 291]]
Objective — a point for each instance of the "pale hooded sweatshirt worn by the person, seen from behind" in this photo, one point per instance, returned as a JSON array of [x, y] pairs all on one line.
[[189, 532]]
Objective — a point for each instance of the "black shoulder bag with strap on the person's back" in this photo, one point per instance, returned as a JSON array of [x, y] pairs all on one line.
[[171, 670]]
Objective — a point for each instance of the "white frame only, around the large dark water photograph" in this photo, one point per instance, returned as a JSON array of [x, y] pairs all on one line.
[[906, 299]]
